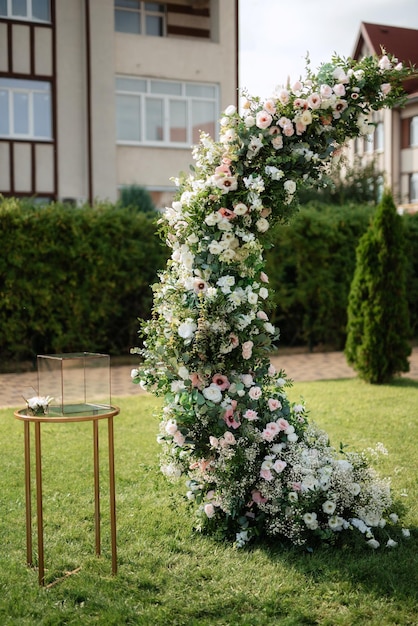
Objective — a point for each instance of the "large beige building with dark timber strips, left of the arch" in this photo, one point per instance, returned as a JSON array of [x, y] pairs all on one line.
[[100, 94]]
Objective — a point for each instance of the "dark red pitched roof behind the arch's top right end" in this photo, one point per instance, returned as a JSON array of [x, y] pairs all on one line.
[[401, 42]]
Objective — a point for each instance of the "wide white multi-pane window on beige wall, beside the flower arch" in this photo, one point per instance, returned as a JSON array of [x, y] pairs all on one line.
[[163, 112]]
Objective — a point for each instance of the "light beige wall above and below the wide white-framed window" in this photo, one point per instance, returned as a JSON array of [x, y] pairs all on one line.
[[179, 59]]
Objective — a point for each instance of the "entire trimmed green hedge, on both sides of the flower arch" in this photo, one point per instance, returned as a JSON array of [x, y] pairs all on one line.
[[78, 279]]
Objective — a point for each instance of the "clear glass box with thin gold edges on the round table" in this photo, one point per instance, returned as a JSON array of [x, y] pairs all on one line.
[[78, 383]]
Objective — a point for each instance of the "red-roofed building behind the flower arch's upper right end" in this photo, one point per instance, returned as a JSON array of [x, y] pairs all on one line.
[[393, 147]]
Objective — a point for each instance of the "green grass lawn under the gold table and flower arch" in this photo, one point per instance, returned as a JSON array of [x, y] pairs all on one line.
[[169, 575]]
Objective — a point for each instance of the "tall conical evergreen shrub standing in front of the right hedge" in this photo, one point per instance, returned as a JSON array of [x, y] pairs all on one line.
[[378, 321]]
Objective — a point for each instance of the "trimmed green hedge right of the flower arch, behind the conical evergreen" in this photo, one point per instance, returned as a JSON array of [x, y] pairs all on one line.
[[311, 267]]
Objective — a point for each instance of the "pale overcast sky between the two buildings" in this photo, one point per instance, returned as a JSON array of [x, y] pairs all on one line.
[[276, 35]]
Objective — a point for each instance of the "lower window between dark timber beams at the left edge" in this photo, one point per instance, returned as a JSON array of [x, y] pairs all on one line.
[[25, 109]]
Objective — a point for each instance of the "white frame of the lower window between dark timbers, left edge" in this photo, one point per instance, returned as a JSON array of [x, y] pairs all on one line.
[[43, 88]]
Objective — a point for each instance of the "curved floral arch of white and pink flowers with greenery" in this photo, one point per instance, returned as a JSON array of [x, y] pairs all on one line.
[[254, 464]]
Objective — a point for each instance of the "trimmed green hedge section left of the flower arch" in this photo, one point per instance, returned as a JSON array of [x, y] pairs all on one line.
[[74, 279]]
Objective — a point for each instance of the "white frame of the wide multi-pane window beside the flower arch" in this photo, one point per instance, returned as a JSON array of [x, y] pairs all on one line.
[[167, 99]]
